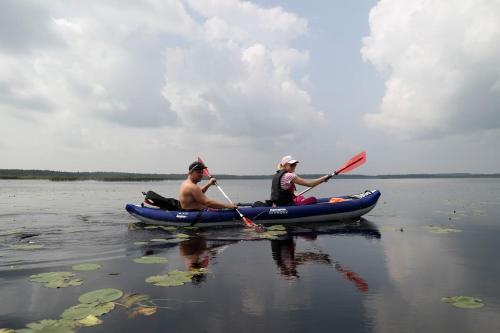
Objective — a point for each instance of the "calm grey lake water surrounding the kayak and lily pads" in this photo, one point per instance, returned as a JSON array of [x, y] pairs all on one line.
[[384, 273]]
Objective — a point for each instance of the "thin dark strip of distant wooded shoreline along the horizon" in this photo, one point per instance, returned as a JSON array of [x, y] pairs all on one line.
[[126, 176]]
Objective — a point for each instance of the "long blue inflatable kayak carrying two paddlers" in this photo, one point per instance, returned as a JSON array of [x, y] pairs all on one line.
[[348, 207]]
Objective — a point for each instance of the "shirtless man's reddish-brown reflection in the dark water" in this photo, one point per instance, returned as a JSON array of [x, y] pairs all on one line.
[[198, 252]]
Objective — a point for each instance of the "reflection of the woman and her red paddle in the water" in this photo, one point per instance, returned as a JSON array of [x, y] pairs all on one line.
[[288, 260]]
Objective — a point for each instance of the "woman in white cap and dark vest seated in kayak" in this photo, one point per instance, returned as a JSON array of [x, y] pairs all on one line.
[[283, 185]]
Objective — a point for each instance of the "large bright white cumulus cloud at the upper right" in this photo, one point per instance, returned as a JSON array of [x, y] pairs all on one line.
[[441, 62]]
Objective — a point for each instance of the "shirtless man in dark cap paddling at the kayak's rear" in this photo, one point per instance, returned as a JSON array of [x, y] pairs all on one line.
[[192, 197]]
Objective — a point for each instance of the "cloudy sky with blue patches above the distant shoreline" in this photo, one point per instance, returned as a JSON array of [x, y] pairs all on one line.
[[149, 86]]
